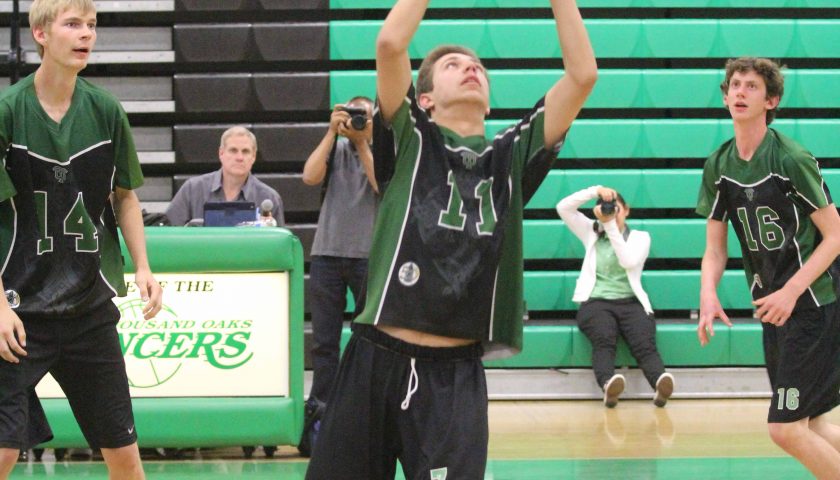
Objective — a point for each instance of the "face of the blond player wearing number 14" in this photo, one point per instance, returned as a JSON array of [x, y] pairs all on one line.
[[69, 39]]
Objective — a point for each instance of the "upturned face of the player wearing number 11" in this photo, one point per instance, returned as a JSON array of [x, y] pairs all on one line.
[[458, 78]]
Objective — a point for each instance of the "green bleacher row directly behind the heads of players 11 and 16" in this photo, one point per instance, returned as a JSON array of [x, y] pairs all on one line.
[[623, 88]]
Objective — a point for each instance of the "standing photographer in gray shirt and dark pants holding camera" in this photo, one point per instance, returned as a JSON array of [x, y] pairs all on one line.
[[343, 164]]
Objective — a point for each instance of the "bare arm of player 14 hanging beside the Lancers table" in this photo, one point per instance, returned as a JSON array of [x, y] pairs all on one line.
[[130, 221]]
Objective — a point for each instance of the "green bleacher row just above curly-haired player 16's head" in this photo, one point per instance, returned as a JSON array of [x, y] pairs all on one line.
[[633, 38]]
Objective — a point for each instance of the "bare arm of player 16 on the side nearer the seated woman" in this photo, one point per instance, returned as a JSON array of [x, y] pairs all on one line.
[[711, 271]]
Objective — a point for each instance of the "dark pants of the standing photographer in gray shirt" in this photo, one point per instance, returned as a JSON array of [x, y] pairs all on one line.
[[329, 278]]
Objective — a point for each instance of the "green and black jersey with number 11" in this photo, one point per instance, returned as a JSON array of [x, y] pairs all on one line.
[[446, 257]]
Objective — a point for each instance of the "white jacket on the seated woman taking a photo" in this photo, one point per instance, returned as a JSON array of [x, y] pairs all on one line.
[[631, 253]]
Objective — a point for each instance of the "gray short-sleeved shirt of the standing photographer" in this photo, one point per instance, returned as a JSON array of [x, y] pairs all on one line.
[[346, 220]]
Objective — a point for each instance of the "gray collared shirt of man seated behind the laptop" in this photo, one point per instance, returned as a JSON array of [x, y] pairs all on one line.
[[189, 202]]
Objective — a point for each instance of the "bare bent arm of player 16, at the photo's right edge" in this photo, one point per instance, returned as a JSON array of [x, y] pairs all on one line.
[[777, 307]]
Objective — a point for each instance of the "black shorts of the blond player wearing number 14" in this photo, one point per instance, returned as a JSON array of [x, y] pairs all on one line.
[[84, 356]]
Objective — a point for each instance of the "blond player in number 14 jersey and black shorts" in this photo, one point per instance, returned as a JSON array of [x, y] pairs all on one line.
[[69, 170]]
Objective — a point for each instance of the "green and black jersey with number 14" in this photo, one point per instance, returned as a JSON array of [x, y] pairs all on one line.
[[58, 233]]
